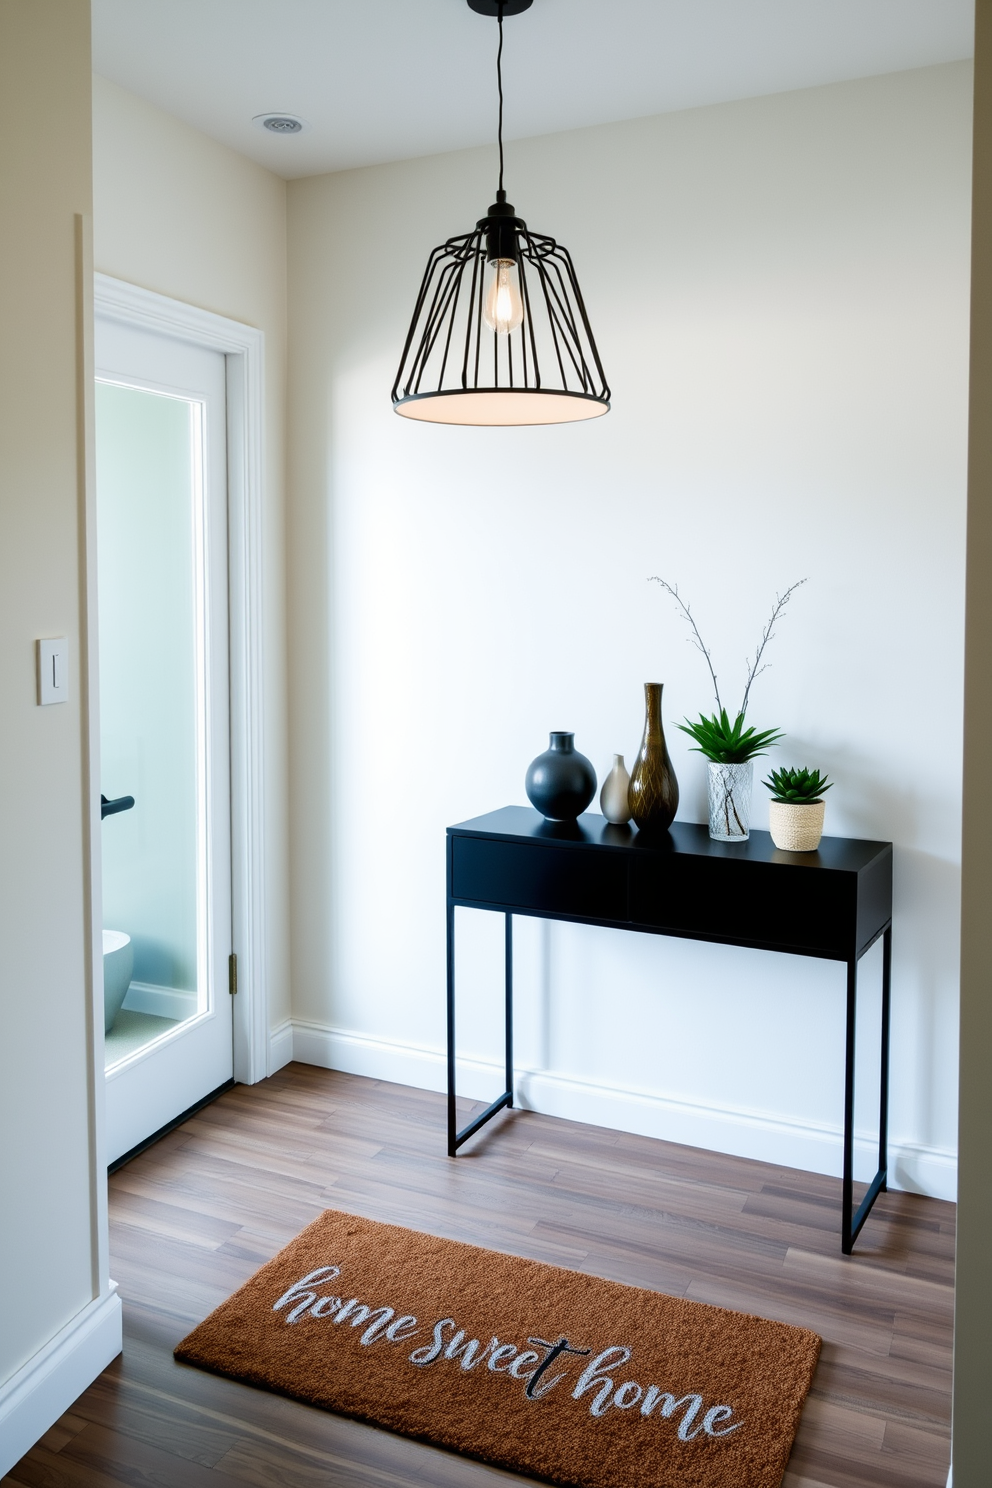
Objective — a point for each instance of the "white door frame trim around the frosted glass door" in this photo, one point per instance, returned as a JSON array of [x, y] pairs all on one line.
[[245, 352]]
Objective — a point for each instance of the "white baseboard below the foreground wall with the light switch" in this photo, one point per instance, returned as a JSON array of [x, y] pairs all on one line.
[[44, 1389]]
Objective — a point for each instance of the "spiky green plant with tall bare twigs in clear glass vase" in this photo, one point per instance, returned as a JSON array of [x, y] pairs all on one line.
[[729, 746]]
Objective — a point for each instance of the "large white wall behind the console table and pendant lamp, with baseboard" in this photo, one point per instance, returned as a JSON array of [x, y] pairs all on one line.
[[780, 289]]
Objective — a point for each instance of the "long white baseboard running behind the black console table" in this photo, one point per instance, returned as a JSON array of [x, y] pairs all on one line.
[[735, 1130]]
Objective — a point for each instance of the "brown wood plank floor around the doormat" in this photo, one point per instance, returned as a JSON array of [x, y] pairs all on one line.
[[203, 1209]]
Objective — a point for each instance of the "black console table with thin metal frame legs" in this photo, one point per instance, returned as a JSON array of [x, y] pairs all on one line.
[[834, 904]]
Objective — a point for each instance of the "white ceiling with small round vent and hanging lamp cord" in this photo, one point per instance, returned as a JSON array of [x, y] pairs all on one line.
[[390, 80]]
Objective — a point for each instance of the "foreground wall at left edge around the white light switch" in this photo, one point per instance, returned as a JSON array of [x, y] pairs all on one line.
[[50, 1182]]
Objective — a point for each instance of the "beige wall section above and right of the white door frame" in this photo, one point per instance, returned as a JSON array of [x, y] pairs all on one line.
[[182, 215]]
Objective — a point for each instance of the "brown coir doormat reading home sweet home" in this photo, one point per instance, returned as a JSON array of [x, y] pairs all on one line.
[[542, 1371]]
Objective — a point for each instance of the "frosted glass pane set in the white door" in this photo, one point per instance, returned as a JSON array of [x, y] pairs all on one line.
[[151, 718]]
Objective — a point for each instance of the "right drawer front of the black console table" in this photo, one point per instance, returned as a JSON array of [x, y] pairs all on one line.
[[738, 901]]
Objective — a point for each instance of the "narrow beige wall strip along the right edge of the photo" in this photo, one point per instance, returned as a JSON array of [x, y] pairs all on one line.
[[973, 1319]]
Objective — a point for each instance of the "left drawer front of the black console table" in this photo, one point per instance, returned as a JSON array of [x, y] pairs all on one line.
[[545, 880]]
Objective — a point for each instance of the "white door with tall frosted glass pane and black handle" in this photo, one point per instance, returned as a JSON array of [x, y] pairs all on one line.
[[163, 605]]
